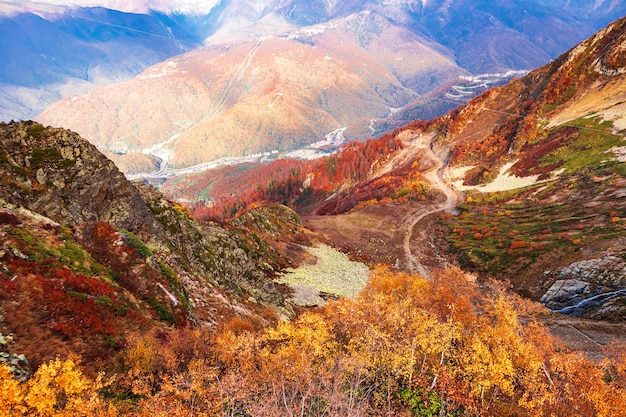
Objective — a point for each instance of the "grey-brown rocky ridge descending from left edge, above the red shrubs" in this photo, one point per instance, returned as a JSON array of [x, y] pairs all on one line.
[[59, 175]]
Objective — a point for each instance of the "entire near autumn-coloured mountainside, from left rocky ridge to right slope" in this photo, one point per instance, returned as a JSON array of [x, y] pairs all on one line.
[[115, 301]]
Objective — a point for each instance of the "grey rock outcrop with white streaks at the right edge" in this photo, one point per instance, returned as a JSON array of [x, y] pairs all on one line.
[[594, 288]]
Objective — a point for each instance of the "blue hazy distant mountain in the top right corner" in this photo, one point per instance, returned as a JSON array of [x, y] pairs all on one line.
[[495, 36]]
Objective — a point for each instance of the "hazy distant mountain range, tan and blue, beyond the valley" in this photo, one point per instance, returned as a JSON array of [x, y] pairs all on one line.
[[397, 45]]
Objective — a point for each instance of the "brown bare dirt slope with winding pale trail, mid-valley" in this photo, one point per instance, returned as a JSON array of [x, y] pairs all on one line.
[[396, 234]]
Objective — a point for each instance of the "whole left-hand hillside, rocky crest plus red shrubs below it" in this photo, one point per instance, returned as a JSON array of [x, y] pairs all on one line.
[[117, 254]]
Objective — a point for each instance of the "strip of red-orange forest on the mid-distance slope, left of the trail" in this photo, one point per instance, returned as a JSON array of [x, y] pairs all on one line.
[[298, 183]]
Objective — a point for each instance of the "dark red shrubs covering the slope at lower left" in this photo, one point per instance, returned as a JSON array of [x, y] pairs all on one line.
[[60, 295]]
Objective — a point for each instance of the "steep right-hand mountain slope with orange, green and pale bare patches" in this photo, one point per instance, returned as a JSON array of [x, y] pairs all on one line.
[[558, 134]]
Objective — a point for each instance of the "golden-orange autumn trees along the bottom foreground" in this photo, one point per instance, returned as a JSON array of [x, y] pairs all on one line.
[[405, 346]]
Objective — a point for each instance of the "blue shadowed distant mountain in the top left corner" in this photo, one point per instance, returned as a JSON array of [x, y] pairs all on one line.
[[51, 55]]
